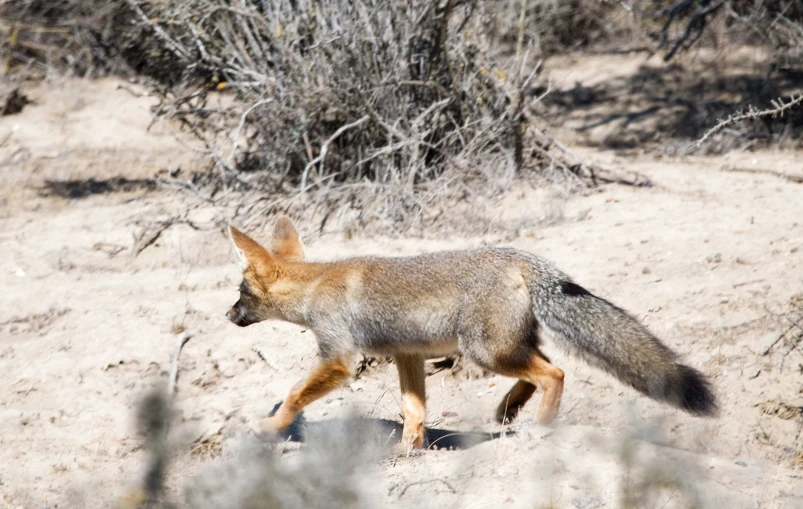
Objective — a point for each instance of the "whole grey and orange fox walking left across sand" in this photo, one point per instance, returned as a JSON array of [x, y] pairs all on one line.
[[494, 305]]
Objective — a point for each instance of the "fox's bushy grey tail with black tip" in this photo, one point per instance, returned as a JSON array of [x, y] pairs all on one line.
[[609, 338]]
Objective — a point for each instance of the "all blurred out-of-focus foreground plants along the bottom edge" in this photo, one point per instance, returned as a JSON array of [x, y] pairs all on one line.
[[338, 464]]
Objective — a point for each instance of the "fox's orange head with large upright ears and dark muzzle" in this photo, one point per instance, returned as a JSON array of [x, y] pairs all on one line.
[[262, 272]]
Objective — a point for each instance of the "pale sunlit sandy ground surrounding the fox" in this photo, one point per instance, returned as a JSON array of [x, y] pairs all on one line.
[[710, 259]]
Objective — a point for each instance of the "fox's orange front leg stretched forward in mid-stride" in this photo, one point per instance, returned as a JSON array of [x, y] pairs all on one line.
[[328, 375]]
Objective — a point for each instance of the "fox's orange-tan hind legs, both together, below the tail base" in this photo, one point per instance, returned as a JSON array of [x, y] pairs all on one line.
[[538, 372]]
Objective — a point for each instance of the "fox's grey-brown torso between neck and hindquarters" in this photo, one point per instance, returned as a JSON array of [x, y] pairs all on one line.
[[420, 303]]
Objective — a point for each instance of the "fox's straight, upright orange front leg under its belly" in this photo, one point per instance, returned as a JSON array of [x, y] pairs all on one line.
[[413, 387]]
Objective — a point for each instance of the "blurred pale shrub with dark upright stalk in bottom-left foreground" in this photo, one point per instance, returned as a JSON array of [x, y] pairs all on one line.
[[250, 473]]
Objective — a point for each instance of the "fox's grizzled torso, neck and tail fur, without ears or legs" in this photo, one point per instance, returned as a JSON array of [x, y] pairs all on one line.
[[491, 304]]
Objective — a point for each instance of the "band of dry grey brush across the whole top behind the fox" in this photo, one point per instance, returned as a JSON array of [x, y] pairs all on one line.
[[388, 114]]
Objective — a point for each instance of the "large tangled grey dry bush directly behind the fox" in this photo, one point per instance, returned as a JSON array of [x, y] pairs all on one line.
[[382, 109]]
